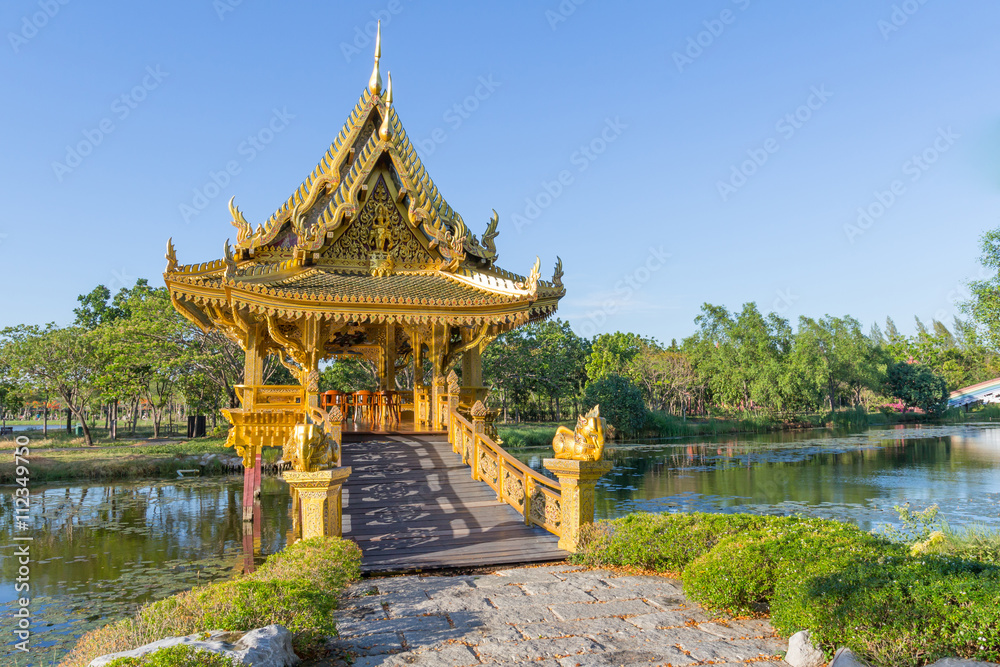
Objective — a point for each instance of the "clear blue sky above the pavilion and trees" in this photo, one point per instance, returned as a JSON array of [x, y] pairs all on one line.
[[672, 153]]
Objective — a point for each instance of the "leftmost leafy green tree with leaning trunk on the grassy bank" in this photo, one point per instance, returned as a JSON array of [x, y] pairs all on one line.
[[67, 361]]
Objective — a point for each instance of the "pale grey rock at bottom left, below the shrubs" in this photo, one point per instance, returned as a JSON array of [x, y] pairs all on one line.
[[264, 647]]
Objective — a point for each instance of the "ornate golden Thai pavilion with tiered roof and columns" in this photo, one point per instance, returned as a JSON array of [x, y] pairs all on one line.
[[367, 260]]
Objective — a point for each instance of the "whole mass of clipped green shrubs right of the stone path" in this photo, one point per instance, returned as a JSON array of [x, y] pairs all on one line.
[[891, 602]]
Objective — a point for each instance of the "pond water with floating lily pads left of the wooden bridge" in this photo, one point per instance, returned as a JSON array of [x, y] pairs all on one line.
[[101, 550]]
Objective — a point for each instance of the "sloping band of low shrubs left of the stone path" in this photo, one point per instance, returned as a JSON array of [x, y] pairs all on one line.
[[297, 588]]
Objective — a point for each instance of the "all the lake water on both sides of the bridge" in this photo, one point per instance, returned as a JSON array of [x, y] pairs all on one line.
[[101, 549]]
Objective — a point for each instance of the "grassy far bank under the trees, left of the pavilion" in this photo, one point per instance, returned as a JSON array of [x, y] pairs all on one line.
[[70, 460]]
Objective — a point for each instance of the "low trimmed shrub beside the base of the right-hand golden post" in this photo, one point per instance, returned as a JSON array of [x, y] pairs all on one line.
[[661, 542]]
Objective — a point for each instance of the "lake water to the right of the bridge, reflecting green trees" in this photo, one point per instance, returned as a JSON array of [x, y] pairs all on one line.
[[856, 477]]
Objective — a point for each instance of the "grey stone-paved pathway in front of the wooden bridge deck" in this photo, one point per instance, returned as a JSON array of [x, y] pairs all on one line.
[[552, 616]]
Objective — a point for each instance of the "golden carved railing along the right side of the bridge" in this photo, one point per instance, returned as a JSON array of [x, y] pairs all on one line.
[[536, 497]]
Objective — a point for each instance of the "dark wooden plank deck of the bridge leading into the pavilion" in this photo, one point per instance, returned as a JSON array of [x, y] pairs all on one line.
[[411, 504]]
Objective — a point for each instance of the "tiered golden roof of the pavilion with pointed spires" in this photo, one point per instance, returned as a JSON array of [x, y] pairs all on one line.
[[366, 235]]
